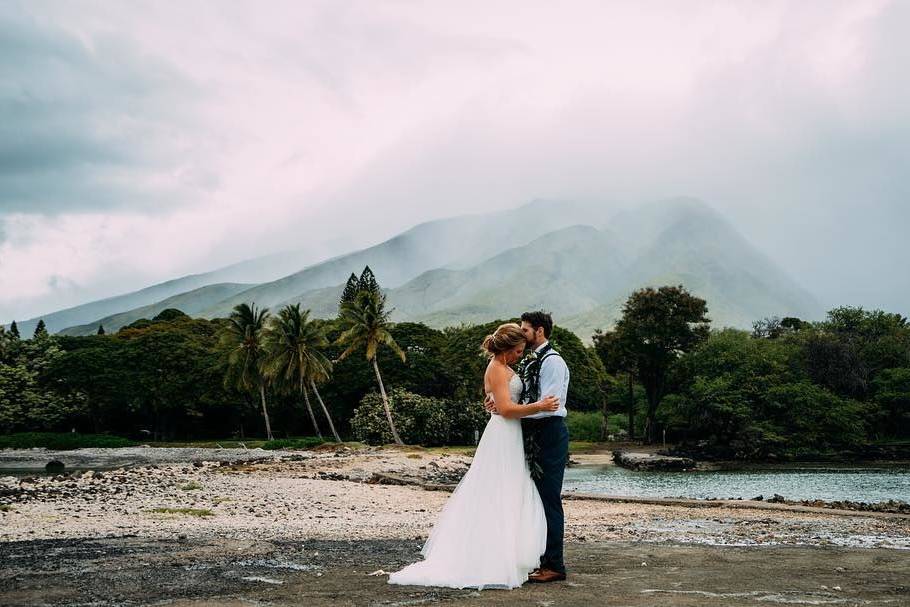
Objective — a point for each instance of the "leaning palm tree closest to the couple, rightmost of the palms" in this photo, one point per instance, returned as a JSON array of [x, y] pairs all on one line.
[[366, 324]]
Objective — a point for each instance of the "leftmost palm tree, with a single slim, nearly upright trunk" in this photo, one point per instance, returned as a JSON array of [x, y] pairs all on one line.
[[241, 341]]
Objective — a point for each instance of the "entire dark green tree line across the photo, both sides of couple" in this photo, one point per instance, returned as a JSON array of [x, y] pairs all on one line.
[[788, 387]]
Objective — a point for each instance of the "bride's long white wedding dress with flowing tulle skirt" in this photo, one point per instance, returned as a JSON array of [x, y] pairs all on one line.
[[492, 530]]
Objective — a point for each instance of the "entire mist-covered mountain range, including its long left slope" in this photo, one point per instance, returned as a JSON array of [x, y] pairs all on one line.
[[578, 260]]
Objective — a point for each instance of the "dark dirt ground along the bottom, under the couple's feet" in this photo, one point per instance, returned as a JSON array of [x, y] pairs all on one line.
[[141, 571]]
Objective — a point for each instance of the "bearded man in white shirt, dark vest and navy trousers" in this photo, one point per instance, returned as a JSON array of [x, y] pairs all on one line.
[[546, 437]]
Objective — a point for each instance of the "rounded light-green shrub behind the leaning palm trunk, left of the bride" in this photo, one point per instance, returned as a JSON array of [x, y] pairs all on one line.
[[423, 420]]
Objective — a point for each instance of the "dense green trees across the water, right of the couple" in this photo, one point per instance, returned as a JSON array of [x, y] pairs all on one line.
[[788, 388]]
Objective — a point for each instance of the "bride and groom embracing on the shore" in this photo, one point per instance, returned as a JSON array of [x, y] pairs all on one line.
[[503, 524]]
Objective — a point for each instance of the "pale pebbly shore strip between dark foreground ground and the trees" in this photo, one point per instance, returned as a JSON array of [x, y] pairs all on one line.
[[373, 493]]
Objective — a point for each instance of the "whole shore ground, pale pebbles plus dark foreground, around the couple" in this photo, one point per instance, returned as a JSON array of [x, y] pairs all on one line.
[[277, 508]]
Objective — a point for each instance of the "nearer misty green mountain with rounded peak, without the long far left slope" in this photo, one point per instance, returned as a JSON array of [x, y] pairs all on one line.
[[584, 275]]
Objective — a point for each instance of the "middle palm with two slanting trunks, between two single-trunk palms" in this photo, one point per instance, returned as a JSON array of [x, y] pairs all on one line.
[[295, 360]]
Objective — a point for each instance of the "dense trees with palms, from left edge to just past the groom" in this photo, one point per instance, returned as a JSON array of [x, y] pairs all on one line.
[[258, 374]]
